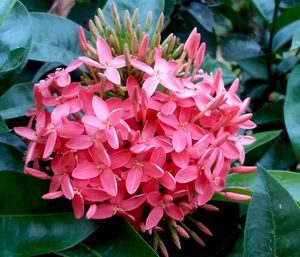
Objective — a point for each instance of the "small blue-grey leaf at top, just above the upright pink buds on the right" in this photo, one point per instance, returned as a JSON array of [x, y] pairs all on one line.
[[202, 14]]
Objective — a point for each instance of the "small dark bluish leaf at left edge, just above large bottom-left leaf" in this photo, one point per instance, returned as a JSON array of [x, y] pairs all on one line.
[[11, 158]]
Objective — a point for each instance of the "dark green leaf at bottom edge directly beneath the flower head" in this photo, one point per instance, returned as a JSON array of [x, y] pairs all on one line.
[[121, 241]]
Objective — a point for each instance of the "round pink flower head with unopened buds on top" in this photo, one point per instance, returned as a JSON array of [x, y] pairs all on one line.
[[145, 134]]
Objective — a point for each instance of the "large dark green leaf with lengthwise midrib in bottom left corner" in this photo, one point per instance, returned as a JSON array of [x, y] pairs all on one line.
[[28, 224]]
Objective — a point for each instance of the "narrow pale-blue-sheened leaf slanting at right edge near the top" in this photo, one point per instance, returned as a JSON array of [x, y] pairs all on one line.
[[284, 35]]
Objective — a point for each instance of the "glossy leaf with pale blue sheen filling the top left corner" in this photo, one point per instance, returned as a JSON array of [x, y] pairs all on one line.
[[15, 40]]
